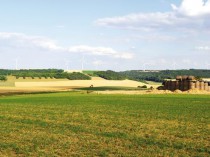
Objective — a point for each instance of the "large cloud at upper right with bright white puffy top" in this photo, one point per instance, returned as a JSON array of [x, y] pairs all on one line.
[[190, 16]]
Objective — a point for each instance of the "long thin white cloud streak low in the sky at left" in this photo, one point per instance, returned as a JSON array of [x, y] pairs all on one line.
[[22, 41]]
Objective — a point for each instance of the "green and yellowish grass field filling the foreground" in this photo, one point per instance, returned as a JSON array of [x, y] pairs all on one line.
[[75, 124]]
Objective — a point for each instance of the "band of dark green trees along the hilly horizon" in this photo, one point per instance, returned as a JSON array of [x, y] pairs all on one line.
[[137, 75]]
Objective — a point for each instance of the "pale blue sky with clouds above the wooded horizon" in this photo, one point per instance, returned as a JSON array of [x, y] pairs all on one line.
[[105, 34]]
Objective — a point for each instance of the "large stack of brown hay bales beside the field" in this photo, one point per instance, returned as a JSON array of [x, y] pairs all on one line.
[[185, 83]]
